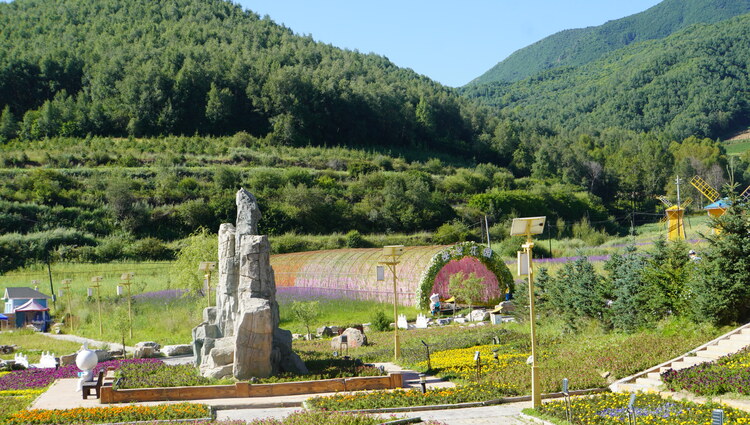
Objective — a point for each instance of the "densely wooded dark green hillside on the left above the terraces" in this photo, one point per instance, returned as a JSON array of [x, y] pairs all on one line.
[[146, 68]]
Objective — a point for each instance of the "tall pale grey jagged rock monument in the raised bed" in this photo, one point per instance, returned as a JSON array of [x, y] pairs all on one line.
[[241, 336]]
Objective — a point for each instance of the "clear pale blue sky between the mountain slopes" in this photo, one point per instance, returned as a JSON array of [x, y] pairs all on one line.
[[449, 41]]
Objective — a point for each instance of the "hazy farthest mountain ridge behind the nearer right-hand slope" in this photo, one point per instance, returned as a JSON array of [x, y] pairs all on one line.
[[580, 46]]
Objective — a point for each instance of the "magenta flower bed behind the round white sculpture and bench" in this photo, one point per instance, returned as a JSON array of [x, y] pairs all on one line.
[[40, 378]]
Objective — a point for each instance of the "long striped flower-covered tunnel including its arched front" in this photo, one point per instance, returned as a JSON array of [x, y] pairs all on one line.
[[351, 273]]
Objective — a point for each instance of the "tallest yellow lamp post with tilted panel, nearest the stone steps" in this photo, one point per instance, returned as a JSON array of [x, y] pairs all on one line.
[[526, 227]]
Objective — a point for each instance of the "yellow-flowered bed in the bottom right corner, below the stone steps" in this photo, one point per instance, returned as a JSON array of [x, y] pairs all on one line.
[[606, 409]]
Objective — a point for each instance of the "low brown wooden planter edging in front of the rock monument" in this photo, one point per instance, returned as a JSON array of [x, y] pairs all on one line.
[[244, 389]]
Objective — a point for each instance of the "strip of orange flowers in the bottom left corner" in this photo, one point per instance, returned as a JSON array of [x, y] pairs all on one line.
[[110, 414]]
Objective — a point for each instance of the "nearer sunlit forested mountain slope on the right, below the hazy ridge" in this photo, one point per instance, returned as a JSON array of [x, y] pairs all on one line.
[[694, 82]]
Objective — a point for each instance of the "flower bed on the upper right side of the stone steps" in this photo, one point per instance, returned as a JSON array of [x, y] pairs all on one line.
[[728, 374]]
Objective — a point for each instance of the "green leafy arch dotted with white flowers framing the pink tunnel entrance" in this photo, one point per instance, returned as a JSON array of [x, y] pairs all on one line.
[[485, 255]]
